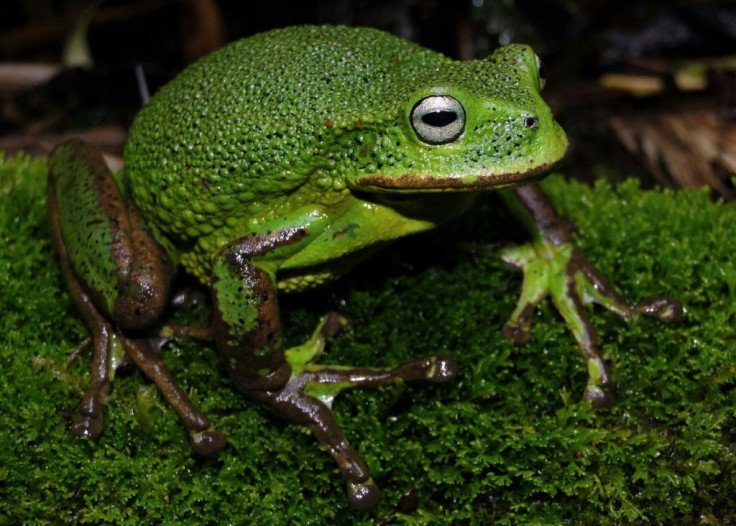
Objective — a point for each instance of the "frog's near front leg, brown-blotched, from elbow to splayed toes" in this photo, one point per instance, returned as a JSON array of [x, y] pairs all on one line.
[[247, 331]]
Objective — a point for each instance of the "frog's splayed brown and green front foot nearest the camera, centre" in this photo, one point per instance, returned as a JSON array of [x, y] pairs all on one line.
[[307, 398]]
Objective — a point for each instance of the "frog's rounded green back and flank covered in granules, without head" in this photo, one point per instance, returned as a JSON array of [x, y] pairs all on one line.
[[248, 124]]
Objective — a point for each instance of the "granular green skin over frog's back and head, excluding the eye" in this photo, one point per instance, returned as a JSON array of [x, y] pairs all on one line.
[[298, 116]]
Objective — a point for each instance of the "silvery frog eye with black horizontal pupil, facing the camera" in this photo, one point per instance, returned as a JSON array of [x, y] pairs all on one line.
[[438, 119]]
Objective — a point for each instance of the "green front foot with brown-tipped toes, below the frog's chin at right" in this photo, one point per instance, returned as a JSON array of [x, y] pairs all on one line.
[[562, 272]]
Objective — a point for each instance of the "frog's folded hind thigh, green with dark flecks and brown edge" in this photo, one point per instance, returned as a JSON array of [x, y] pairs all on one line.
[[111, 251]]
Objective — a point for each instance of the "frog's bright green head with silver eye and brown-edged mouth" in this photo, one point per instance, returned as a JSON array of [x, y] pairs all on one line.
[[474, 125]]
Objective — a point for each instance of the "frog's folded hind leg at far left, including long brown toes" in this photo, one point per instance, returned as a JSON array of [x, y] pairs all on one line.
[[119, 278]]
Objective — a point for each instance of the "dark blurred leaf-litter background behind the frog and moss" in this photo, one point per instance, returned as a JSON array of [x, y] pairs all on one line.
[[672, 137]]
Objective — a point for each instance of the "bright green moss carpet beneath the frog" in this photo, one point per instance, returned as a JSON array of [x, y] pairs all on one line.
[[508, 443]]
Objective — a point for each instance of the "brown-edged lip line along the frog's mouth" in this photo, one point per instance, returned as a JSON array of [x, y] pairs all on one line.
[[412, 182]]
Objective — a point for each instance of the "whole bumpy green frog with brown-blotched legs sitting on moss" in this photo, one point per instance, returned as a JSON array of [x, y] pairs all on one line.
[[275, 165]]
